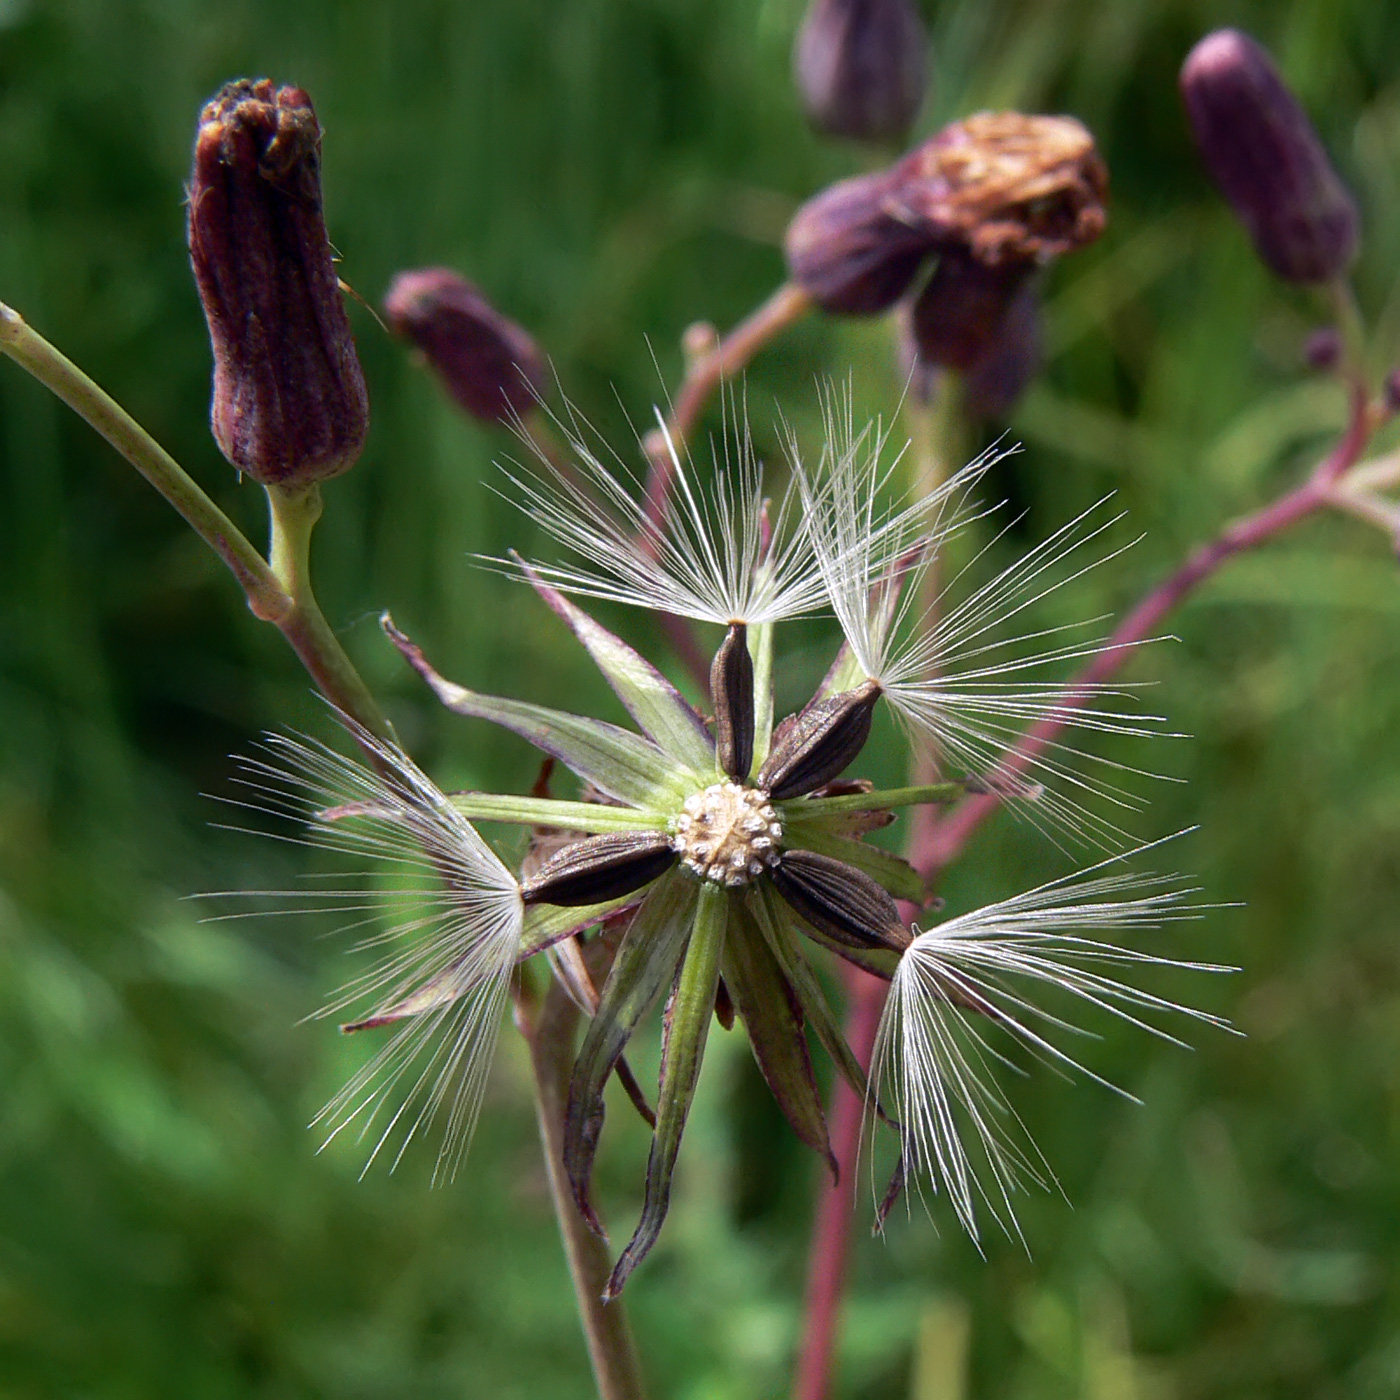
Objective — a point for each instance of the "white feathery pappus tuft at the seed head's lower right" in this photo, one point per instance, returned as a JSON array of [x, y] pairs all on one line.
[[965, 995]]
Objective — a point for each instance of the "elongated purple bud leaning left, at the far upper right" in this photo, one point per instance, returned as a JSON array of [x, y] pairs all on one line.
[[1265, 156]]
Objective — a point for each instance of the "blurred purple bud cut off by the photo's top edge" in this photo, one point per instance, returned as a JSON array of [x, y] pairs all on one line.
[[860, 68]]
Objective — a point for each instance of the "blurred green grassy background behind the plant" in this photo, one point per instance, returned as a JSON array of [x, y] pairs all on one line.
[[611, 171]]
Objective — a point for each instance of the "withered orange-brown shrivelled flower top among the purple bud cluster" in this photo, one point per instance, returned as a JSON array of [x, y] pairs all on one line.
[[1007, 187]]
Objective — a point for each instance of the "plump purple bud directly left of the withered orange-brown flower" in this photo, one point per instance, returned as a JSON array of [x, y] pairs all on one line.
[[850, 253]]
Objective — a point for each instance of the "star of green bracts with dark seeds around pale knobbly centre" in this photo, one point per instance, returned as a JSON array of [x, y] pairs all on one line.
[[724, 880]]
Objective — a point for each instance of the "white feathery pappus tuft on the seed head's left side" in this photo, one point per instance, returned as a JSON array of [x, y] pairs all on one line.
[[442, 915]]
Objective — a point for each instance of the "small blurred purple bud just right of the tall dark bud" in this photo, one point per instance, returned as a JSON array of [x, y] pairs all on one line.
[[488, 363]]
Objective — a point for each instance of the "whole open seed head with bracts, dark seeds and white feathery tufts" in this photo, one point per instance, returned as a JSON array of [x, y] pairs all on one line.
[[710, 864]]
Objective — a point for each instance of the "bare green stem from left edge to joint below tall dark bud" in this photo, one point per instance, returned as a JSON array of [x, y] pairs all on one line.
[[61, 376]]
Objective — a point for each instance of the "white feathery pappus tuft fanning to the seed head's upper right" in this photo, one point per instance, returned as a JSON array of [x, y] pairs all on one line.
[[961, 675]]
